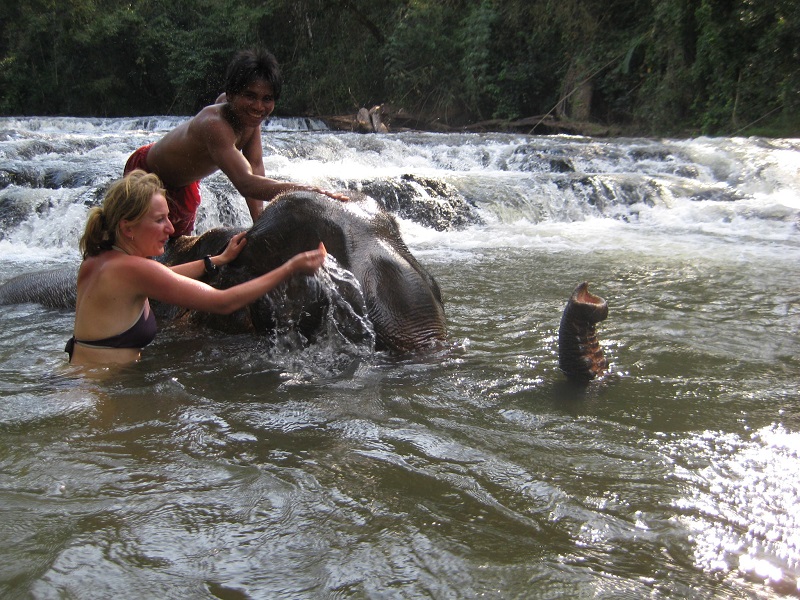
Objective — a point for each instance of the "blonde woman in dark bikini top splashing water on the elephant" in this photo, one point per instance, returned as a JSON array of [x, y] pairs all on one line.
[[113, 320]]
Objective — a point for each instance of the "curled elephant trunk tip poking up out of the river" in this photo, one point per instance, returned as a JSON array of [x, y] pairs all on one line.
[[580, 356]]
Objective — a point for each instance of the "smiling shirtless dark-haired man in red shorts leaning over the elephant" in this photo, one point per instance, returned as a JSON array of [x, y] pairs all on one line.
[[226, 136]]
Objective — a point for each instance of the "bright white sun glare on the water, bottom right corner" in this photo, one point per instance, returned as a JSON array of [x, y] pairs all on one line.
[[745, 514]]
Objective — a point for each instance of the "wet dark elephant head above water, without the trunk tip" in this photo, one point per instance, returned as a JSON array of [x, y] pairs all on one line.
[[400, 298]]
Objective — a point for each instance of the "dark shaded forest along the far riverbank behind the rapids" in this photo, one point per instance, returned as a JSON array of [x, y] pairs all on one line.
[[647, 66]]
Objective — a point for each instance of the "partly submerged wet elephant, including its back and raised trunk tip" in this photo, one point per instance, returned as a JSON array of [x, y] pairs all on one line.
[[388, 297]]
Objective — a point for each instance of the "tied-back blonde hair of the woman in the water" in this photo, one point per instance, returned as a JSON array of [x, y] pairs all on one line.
[[127, 199]]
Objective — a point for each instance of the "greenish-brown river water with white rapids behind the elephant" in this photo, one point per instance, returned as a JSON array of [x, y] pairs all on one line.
[[225, 467]]
